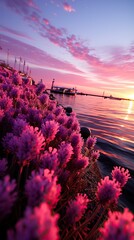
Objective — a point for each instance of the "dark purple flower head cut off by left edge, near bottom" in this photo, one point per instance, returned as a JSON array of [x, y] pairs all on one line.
[[7, 196]]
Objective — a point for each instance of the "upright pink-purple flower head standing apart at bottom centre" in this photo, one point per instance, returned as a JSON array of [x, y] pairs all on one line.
[[76, 208]]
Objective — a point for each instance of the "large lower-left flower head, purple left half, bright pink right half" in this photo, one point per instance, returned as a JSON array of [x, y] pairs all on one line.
[[41, 187]]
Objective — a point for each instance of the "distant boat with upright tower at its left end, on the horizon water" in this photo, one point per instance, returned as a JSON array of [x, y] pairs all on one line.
[[62, 90]]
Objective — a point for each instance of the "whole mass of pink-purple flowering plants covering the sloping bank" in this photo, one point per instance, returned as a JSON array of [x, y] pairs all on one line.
[[46, 170]]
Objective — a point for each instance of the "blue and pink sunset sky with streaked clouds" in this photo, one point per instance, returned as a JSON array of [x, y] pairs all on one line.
[[87, 44]]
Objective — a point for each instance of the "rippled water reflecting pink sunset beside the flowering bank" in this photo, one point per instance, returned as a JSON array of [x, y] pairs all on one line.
[[112, 122]]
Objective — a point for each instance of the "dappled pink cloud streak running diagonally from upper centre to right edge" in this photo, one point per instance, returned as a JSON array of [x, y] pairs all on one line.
[[120, 69]]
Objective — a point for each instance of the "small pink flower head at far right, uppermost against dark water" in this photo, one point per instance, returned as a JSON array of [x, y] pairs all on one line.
[[121, 175]]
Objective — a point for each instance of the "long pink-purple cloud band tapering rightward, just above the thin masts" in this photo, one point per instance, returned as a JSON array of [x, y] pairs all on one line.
[[34, 55]]
